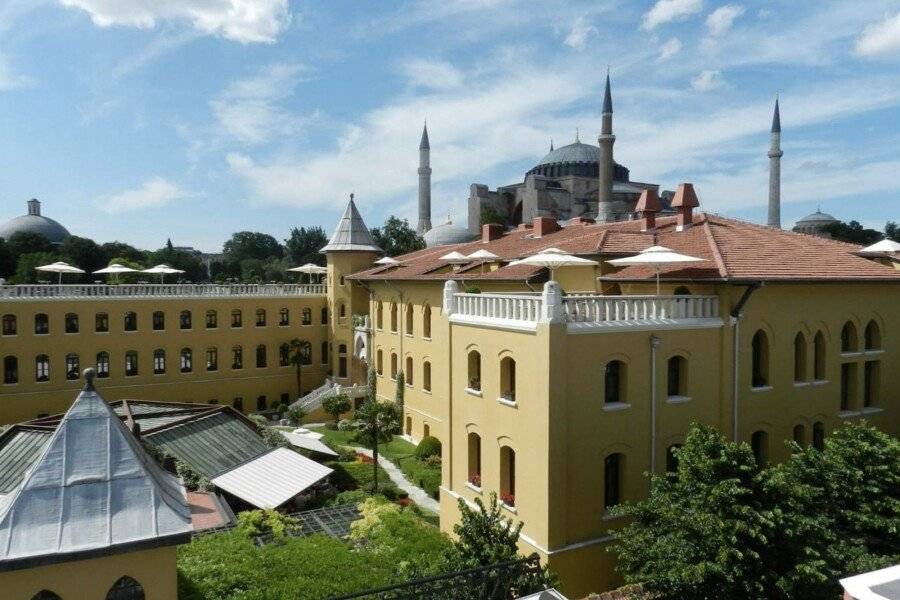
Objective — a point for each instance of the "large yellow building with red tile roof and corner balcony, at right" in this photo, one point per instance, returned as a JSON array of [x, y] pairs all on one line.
[[559, 396]]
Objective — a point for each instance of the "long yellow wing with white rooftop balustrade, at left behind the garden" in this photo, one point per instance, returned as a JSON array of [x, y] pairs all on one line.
[[225, 344]]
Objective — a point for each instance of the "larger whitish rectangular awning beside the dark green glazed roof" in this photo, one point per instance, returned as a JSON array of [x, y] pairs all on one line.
[[270, 480]]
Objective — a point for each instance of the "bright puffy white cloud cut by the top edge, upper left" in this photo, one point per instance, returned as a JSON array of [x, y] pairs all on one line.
[[245, 21]]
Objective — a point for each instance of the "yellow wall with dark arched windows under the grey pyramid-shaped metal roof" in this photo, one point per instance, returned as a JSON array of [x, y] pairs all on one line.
[[91, 579]]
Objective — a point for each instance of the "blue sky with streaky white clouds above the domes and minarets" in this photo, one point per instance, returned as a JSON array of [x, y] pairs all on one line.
[[142, 120]]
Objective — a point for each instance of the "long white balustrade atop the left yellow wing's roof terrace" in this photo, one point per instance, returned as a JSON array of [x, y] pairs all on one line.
[[159, 290]]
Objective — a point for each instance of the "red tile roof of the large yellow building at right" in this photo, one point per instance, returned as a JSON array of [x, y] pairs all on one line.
[[733, 250]]
